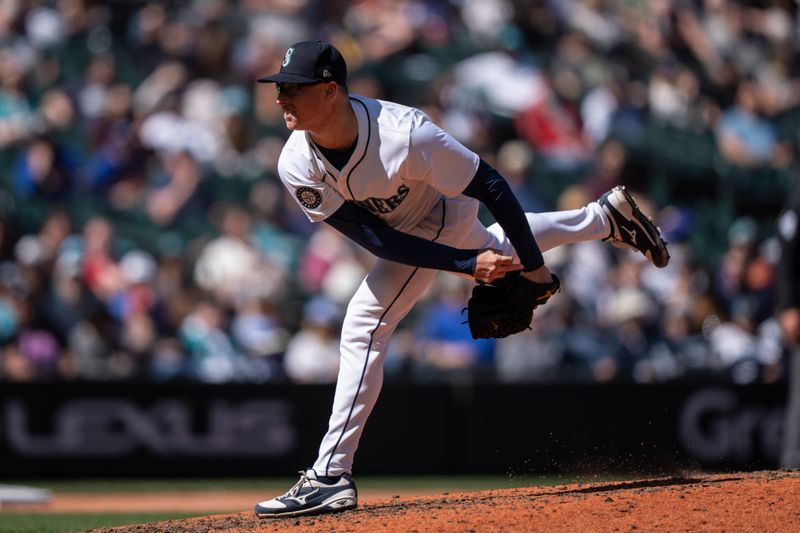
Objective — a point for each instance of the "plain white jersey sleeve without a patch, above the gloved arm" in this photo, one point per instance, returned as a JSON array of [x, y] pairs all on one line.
[[439, 160]]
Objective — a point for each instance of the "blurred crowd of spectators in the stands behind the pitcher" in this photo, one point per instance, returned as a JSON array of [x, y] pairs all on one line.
[[144, 234]]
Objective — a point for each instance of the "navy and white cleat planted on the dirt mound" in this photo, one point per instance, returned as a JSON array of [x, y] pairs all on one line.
[[312, 495]]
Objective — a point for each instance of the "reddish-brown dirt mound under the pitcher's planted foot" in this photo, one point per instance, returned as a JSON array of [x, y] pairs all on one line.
[[755, 501]]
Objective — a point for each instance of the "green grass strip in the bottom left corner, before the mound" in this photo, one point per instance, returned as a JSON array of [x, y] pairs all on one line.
[[20, 522]]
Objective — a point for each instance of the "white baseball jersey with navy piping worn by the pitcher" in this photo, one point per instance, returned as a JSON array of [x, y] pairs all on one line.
[[402, 166]]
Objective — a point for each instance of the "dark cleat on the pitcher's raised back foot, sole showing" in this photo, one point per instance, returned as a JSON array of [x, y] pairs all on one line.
[[630, 228]]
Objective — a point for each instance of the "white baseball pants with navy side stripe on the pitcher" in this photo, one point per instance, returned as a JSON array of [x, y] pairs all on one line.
[[389, 292]]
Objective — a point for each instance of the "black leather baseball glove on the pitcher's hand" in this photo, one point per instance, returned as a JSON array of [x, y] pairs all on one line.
[[506, 305]]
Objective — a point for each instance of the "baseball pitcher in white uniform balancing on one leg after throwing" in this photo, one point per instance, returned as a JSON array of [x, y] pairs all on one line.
[[394, 182]]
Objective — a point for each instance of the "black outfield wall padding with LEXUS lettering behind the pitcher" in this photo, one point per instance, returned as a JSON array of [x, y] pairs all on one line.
[[125, 430]]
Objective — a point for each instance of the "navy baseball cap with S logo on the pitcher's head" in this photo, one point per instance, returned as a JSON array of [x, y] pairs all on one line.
[[310, 62]]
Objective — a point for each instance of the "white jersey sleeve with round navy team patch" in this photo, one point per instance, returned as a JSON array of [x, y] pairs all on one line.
[[317, 199]]
